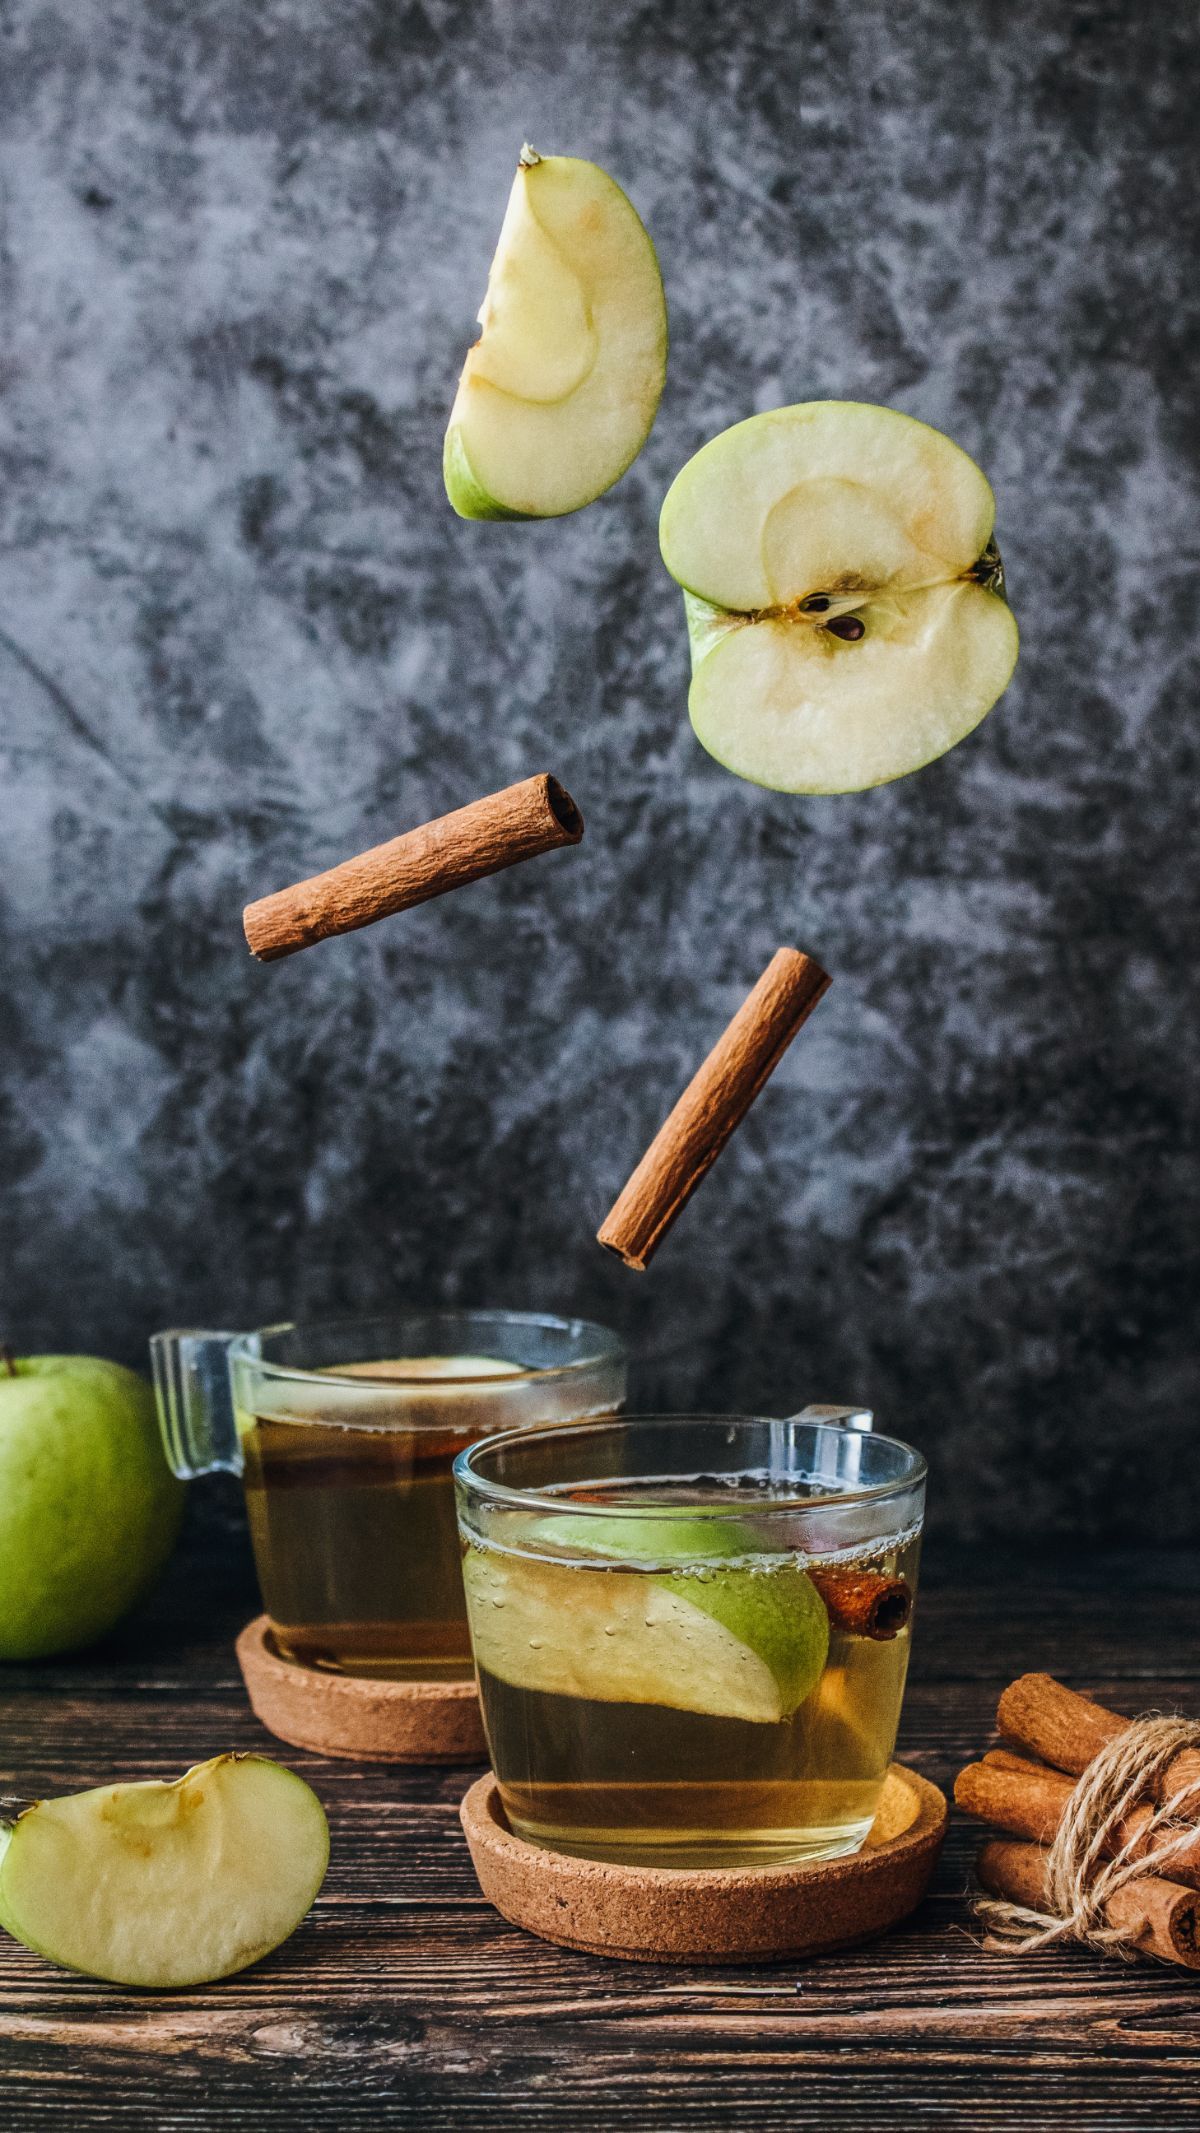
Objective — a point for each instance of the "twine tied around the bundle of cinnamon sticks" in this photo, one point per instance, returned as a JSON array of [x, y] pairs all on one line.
[[1086, 1867]]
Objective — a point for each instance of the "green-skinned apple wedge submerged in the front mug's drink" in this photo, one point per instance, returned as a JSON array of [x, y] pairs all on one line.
[[736, 1639]]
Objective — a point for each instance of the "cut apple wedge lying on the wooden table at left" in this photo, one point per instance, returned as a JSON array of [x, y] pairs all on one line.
[[167, 1885]]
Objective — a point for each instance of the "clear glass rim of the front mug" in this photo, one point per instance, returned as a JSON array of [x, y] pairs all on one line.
[[496, 1492]]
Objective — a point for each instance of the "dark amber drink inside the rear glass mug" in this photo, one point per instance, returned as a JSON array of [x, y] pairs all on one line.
[[353, 1526]]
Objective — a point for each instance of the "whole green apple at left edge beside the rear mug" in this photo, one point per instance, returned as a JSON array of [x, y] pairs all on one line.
[[88, 1505]]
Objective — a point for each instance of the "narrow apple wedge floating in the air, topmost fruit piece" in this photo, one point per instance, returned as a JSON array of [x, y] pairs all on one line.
[[562, 389]]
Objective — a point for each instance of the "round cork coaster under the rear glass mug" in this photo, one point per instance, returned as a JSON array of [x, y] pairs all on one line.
[[357, 1718]]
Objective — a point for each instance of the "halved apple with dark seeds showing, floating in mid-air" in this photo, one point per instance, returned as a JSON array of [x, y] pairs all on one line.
[[843, 592]]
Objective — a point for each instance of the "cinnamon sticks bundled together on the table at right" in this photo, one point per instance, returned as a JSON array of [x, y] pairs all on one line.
[[1028, 1789]]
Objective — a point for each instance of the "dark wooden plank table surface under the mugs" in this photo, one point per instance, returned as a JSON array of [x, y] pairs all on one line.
[[408, 2002]]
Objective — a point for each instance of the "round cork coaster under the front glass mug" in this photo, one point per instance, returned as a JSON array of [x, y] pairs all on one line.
[[649, 1914]]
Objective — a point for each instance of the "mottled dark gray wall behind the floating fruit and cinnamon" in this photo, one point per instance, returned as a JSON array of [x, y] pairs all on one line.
[[242, 246]]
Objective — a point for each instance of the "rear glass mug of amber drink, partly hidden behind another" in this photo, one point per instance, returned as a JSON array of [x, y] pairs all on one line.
[[344, 1437]]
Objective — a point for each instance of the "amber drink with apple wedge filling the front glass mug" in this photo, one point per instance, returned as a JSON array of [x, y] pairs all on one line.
[[696, 1712]]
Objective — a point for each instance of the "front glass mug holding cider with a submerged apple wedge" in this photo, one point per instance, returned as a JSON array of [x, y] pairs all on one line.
[[692, 1633]]
